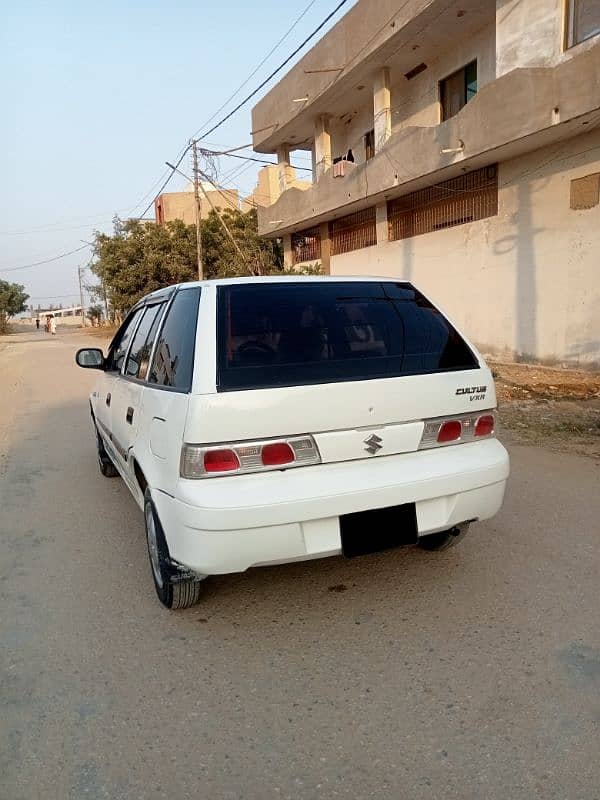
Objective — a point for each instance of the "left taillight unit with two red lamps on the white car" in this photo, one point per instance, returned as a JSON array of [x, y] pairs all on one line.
[[206, 461]]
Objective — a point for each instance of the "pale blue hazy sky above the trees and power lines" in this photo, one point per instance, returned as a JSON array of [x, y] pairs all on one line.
[[97, 96]]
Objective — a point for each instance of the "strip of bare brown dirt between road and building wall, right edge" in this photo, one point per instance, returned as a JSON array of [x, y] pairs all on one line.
[[554, 407]]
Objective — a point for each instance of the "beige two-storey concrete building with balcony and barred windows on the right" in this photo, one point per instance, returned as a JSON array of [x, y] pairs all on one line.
[[456, 144]]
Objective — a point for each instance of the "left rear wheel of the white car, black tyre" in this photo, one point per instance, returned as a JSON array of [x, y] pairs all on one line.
[[174, 588]]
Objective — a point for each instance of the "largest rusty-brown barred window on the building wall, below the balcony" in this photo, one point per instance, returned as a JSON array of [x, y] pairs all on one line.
[[455, 202]]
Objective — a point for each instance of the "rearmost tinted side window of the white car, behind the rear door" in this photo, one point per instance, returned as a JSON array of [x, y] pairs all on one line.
[[174, 356]]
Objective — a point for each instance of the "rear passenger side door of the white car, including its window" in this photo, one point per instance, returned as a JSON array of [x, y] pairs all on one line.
[[127, 401]]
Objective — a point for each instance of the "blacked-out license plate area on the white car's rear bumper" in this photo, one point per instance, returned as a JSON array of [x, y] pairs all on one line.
[[378, 529]]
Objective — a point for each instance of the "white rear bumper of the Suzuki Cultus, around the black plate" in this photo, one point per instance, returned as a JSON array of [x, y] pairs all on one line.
[[228, 524]]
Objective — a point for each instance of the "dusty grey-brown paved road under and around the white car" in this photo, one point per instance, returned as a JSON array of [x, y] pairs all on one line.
[[471, 674]]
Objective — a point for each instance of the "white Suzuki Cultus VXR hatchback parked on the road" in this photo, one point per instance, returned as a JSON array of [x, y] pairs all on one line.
[[266, 420]]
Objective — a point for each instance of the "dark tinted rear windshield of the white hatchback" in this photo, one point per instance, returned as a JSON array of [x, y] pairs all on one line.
[[295, 333]]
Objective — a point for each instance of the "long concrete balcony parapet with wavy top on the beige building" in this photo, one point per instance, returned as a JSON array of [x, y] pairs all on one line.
[[521, 111]]
